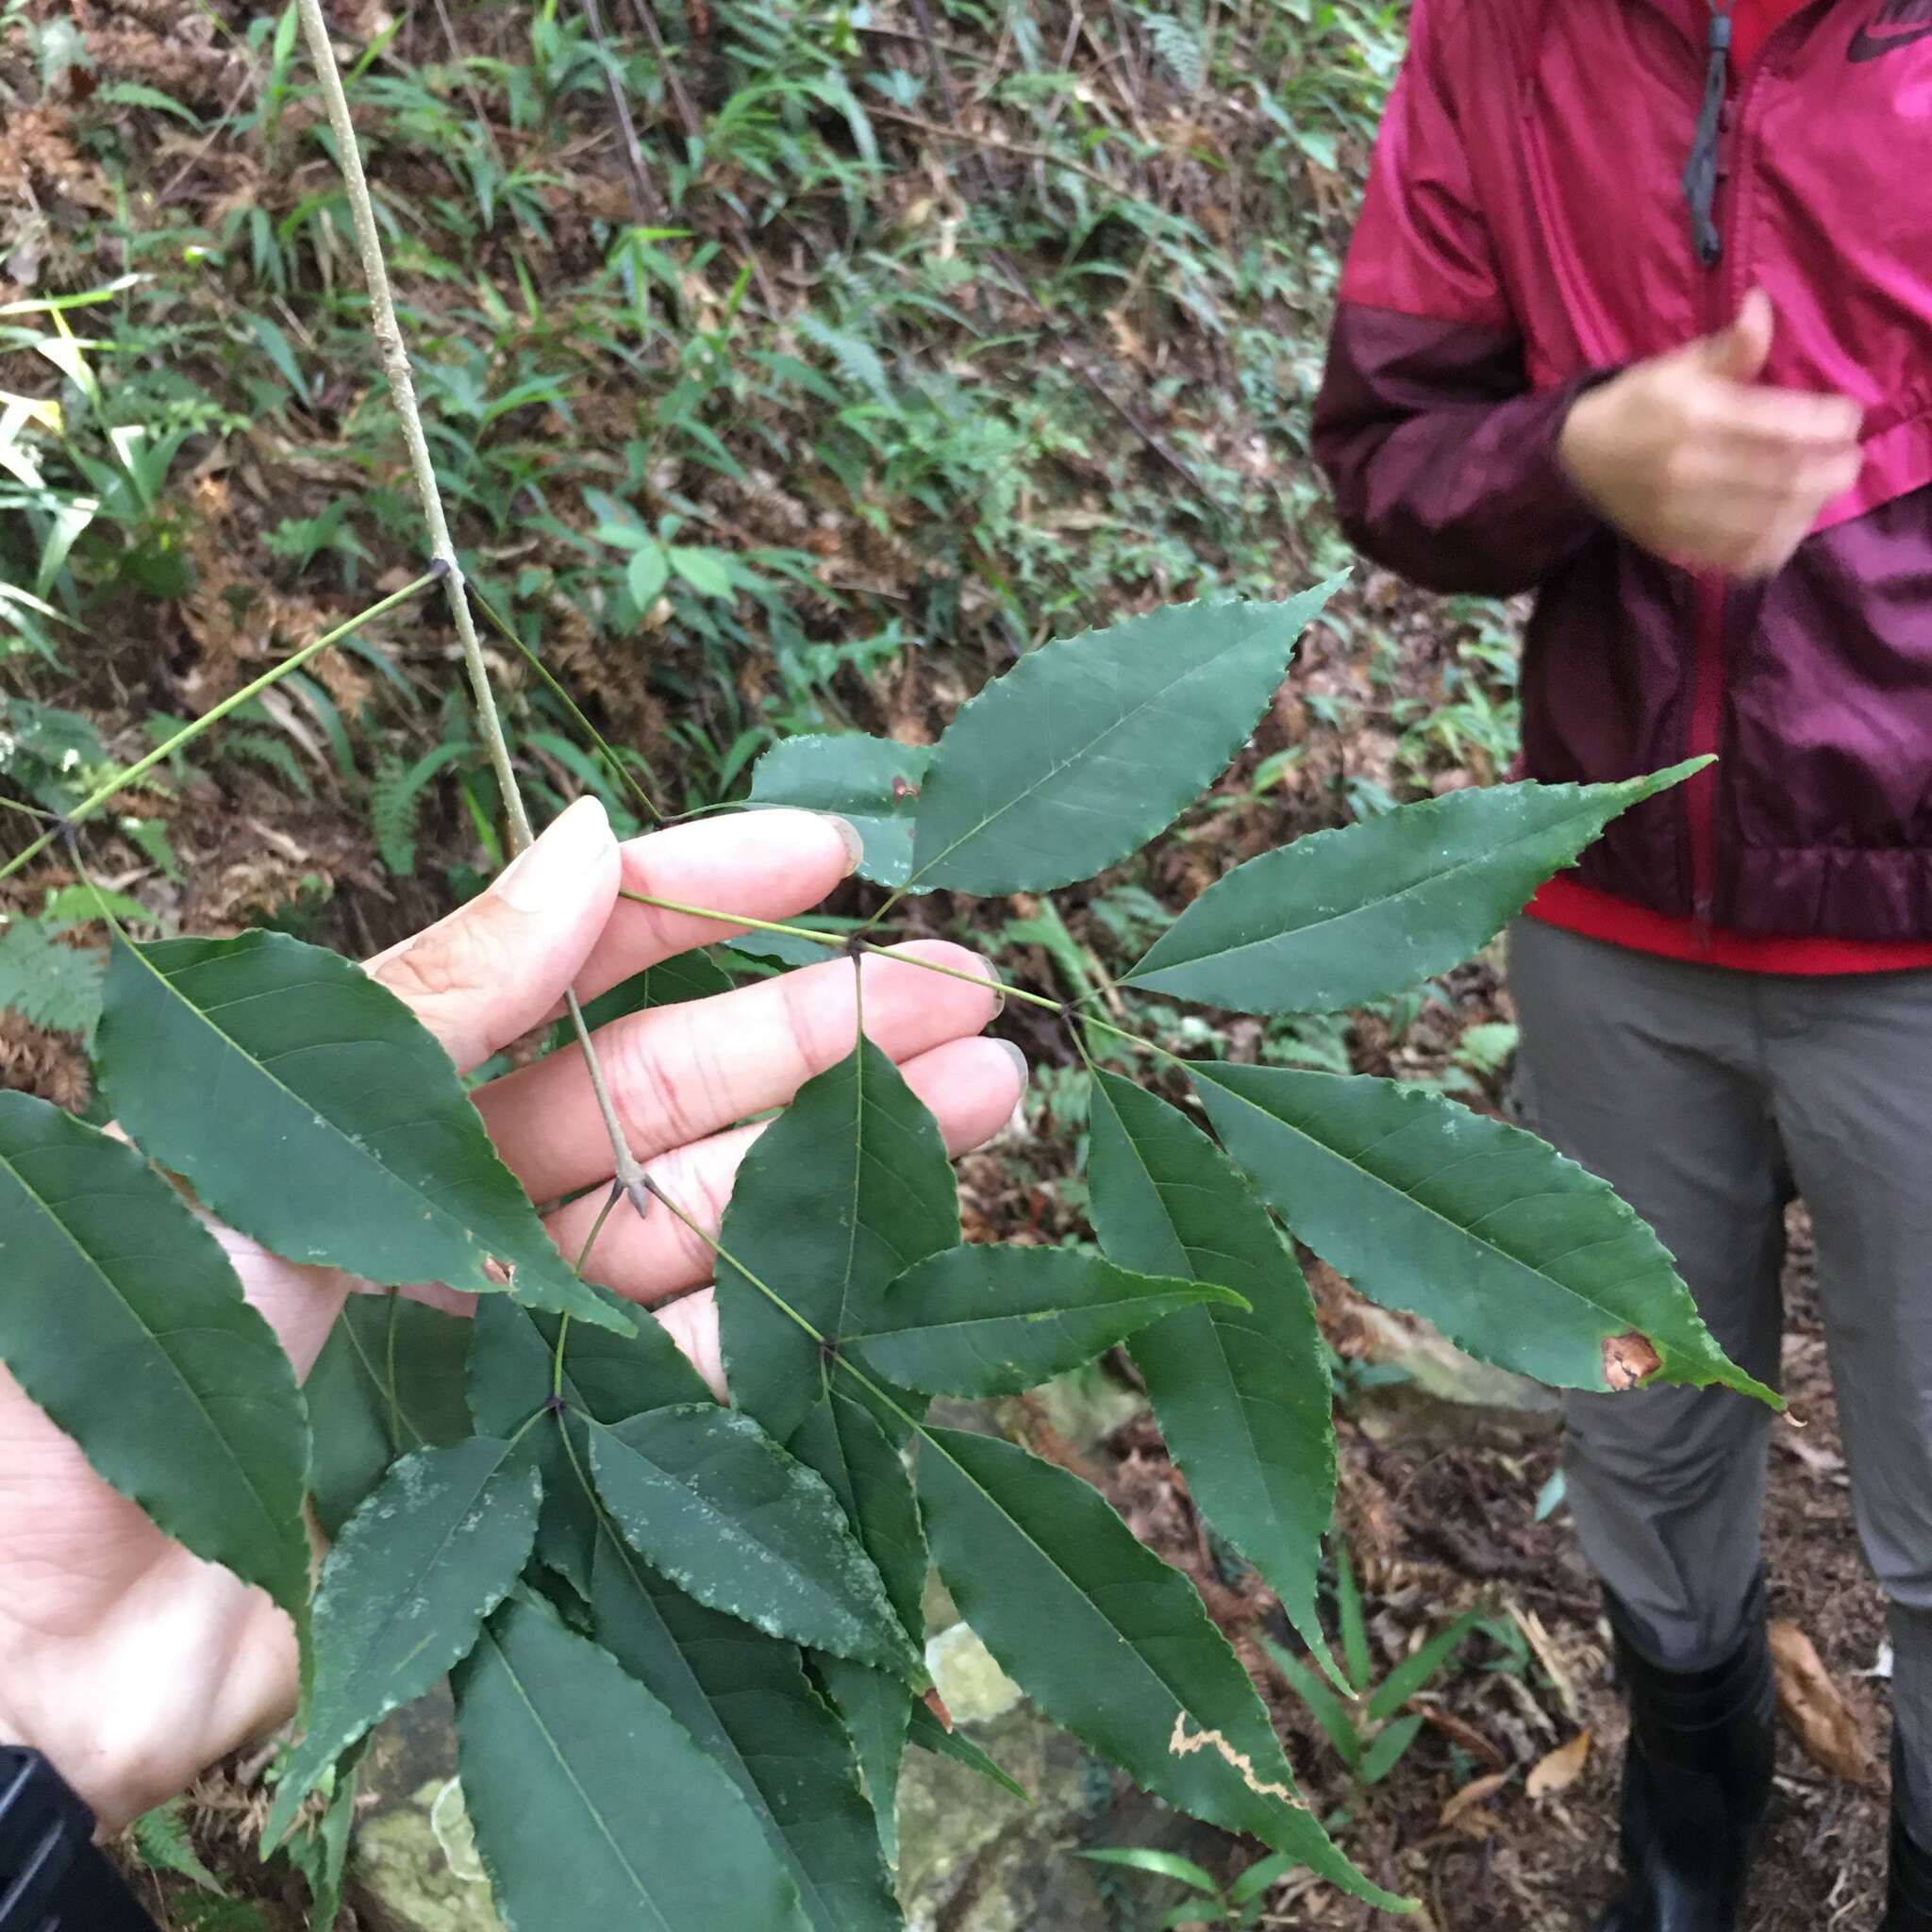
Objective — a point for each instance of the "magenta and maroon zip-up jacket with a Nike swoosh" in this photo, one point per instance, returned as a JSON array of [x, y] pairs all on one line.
[[1527, 231]]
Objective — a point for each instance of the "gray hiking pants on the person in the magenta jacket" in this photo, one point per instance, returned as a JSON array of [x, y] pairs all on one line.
[[1707, 1098]]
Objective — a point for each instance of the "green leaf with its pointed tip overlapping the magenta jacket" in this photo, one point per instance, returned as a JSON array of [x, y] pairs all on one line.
[[1348, 917]]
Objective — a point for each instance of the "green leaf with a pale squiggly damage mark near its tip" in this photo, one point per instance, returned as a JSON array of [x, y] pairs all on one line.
[[1112, 1643]]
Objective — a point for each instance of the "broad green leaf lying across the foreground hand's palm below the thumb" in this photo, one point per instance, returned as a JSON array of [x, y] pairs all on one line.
[[314, 1112]]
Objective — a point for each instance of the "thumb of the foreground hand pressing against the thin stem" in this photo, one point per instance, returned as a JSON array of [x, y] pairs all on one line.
[[497, 967]]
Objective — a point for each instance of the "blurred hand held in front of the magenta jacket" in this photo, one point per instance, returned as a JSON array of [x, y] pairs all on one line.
[[1688, 457]]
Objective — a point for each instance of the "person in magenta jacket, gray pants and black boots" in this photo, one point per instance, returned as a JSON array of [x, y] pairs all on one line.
[[1639, 318]]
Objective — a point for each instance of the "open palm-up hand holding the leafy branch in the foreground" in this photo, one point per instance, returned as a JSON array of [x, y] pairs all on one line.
[[130, 1662]]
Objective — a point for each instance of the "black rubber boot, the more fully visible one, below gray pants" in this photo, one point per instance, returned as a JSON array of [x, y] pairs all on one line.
[[1695, 1784]]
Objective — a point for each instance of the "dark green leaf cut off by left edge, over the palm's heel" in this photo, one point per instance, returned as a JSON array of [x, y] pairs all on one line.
[[123, 1319]]
